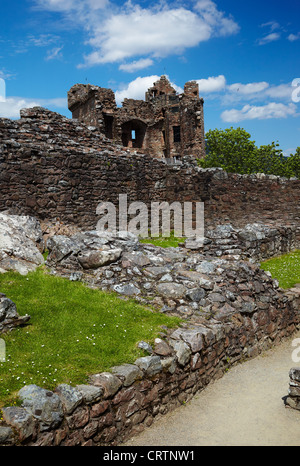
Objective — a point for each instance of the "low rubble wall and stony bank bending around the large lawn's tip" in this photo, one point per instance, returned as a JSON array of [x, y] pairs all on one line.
[[231, 310]]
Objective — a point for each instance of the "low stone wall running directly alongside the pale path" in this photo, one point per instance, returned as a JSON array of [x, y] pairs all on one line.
[[118, 404]]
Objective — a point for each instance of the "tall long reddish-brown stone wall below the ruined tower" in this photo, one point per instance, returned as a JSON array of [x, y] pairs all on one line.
[[53, 167]]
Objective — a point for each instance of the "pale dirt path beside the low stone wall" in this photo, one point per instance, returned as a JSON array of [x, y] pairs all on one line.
[[244, 408]]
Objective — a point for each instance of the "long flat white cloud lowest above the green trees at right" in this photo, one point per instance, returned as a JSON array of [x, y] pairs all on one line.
[[252, 112]]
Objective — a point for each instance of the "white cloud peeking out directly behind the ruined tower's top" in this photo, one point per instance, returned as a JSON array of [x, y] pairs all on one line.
[[136, 89]]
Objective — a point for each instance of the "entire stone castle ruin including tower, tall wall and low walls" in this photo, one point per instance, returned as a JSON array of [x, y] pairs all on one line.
[[57, 170]]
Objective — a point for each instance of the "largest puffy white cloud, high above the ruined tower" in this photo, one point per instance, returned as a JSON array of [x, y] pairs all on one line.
[[147, 32]]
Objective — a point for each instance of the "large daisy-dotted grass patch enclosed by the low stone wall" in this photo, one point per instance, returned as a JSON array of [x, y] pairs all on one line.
[[73, 331]]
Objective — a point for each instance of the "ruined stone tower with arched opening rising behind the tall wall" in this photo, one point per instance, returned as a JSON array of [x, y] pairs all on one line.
[[165, 124]]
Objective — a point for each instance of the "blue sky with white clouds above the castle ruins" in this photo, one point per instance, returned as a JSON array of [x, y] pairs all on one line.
[[243, 54]]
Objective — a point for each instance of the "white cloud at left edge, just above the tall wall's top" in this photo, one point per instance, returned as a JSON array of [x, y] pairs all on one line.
[[11, 107]]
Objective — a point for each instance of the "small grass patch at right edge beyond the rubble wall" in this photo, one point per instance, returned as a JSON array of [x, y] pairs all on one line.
[[285, 268]]
